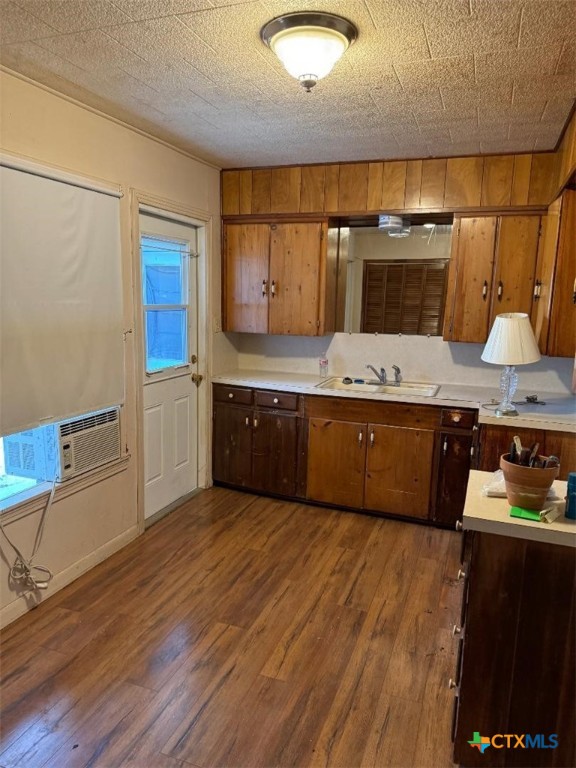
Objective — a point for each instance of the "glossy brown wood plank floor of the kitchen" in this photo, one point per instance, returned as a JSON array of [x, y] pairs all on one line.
[[242, 632]]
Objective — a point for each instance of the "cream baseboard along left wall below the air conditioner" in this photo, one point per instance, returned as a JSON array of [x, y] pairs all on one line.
[[25, 603]]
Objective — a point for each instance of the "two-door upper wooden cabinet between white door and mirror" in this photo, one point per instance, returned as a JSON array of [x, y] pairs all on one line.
[[274, 278]]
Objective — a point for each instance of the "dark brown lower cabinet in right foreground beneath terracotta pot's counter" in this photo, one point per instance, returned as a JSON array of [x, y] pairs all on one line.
[[517, 671]]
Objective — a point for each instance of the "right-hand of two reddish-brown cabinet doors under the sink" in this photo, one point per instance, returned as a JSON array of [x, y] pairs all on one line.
[[399, 470]]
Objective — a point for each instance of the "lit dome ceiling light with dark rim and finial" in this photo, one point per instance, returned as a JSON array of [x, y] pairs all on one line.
[[309, 44]]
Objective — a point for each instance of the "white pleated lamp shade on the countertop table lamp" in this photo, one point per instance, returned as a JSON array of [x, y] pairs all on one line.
[[511, 341]]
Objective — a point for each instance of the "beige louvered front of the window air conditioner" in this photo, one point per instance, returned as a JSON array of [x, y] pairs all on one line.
[[88, 442]]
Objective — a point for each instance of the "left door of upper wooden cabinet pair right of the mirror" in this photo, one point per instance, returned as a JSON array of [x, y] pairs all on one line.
[[470, 280]]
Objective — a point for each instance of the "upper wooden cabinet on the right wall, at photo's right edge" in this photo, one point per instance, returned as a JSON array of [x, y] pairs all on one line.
[[554, 308]]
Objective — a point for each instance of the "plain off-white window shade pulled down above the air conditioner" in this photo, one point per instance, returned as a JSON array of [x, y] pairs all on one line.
[[61, 334]]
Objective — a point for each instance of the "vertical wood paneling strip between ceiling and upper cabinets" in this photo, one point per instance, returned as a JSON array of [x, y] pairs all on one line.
[[452, 184]]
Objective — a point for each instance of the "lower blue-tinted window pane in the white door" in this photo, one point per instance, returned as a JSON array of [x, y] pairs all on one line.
[[166, 338]]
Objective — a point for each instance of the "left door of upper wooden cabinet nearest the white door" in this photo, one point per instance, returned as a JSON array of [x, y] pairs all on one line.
[[245, 277]]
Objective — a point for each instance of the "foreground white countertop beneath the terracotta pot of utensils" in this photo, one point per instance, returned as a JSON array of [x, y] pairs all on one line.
[[492, 515]]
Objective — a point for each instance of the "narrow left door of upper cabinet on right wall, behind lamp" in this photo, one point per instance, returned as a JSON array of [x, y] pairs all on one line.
[[544, 279]]
